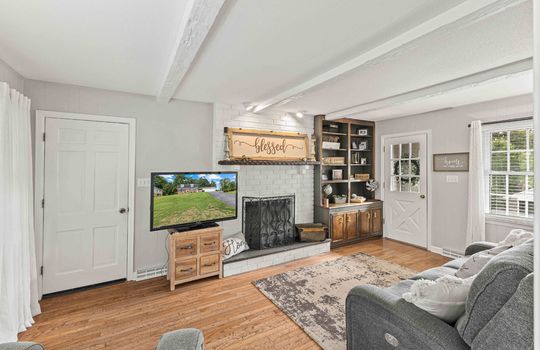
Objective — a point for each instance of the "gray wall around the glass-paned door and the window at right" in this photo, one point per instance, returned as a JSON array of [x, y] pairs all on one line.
[[450, 134]]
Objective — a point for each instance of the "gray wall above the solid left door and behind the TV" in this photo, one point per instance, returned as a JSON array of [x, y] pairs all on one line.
[[170, 137]]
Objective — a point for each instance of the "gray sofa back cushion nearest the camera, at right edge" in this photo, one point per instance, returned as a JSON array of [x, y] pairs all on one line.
[[492, 288]]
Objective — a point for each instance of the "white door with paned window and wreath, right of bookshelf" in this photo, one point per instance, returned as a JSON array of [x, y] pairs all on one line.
[[405, 189]]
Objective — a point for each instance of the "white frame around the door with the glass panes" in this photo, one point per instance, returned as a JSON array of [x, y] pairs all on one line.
[[429, 157]]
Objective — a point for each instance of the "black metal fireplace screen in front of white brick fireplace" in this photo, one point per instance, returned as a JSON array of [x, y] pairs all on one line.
[[268, 222]]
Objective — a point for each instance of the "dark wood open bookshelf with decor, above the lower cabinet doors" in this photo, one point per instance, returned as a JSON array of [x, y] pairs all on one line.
[[346, 147]]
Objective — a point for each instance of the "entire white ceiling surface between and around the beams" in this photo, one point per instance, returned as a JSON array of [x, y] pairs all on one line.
[[258, 49]]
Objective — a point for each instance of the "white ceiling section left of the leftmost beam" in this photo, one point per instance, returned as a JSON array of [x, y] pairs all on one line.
[[122, 45]]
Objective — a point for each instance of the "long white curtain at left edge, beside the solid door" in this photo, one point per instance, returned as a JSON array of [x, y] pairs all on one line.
[[18, 273]]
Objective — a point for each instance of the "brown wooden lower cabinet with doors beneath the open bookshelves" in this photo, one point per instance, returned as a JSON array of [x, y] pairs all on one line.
[[352, 223]]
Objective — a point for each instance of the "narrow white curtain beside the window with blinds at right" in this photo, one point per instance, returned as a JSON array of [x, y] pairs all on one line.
[[476, 230]]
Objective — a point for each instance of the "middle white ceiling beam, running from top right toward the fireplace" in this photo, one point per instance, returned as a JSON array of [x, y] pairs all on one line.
[[461, 15]]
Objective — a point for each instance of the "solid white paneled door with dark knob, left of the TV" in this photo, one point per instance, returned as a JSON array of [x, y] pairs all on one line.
[[85, 187]]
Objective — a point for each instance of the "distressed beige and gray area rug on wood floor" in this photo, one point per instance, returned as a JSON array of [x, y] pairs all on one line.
[[314, 296]]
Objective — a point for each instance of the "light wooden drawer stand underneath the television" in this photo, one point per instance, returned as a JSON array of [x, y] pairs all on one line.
[[194, 254]]
